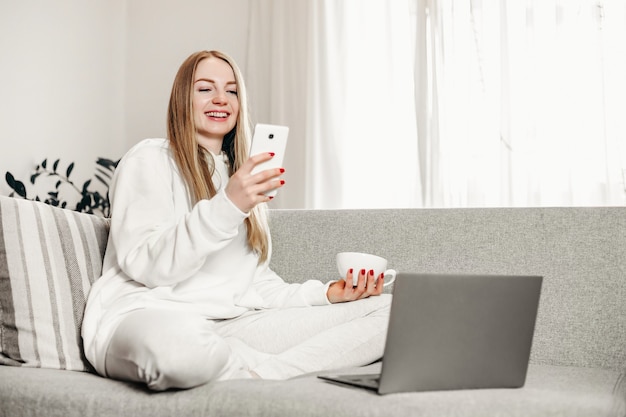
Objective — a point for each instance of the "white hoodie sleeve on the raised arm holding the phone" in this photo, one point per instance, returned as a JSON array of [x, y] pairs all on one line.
[[157, 241]]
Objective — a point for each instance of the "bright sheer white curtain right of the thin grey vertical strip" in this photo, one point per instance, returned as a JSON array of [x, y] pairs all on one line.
[[527, 102]]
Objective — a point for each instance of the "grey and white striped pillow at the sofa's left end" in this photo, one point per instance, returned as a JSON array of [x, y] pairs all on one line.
[[49, 257]]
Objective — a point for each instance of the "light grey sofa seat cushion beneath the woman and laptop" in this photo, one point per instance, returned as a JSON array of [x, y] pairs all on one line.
[[549, 391]]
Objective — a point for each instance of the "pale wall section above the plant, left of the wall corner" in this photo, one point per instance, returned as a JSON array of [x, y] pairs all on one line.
[[62, 84]]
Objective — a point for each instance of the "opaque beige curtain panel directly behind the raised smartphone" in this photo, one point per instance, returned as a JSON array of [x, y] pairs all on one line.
[[276, 73]]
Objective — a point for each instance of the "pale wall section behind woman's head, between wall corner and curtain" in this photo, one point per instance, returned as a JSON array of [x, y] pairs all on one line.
[[161, 34]]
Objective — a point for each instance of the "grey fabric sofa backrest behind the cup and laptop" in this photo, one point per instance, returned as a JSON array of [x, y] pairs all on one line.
[[580, 252]]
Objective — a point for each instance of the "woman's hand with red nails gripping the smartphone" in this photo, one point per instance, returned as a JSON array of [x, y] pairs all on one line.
[[246, 190]]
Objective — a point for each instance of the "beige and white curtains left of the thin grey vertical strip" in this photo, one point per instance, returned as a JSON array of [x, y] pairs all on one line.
[[351, 99]]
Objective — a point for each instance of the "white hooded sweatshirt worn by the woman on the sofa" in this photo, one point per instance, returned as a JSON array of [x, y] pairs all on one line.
[[164, 253]]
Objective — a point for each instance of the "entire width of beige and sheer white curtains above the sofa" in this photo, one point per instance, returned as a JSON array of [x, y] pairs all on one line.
[[444, 103]]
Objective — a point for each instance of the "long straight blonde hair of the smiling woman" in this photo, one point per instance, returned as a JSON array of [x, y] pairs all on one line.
[[191, 158]]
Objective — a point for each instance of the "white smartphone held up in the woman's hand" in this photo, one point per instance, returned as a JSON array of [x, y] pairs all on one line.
[[269, 138]]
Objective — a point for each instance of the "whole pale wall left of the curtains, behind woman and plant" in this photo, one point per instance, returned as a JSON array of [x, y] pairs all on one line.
[[81, 80]]
